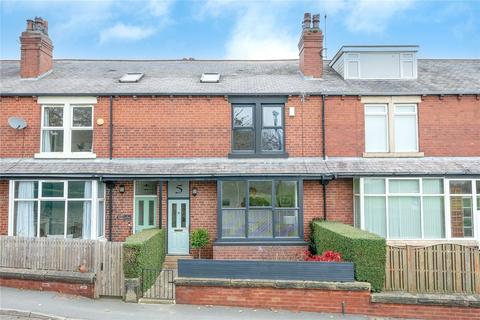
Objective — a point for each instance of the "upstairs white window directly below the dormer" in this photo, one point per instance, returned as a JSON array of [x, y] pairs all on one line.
[[391, 126]]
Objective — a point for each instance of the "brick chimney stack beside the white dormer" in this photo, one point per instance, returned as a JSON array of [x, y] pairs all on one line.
[[311, 47]]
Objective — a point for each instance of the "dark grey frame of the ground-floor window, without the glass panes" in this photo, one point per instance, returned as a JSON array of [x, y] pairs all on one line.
[[274, 239]]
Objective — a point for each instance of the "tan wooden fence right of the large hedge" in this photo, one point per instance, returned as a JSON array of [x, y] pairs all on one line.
[[441, 268]]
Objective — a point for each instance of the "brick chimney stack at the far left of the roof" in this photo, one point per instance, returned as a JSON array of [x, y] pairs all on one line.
[[36, 49]]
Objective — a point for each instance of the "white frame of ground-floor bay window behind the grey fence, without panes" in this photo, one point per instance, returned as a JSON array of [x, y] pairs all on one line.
[[94, 200]]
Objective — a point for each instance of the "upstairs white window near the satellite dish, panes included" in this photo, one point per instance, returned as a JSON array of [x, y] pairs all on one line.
[[66, 127]]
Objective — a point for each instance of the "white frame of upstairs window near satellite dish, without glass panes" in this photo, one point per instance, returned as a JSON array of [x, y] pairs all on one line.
[[68, 104]]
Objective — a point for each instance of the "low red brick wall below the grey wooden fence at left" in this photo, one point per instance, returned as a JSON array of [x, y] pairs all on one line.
[[79, 289]]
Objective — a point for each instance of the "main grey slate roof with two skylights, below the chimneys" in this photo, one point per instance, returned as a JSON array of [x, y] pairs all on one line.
[[279, 77]]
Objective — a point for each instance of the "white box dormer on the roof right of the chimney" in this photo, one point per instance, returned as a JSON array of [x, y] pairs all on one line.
[[376, 62]]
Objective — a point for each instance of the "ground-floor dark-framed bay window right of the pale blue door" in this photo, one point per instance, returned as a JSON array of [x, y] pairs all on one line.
[[259, 209]]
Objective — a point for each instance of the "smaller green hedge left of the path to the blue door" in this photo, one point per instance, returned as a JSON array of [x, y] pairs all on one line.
[[144, 250]]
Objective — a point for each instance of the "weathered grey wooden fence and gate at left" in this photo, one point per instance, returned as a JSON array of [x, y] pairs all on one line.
[[103, 258]]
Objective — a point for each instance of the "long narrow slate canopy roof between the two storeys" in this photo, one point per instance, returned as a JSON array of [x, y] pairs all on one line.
[[223, 167]]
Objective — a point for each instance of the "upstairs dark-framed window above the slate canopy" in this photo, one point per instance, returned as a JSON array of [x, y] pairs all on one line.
[[258, 127]]
